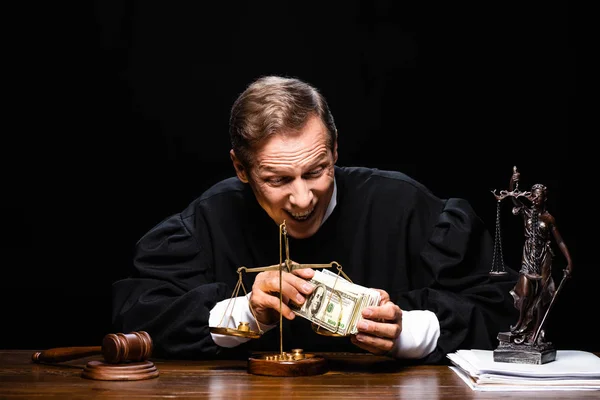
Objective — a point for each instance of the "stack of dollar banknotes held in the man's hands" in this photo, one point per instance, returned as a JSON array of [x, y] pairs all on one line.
[[336, 304]]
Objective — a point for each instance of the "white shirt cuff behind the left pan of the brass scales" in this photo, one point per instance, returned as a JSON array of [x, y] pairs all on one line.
[[228, 315]]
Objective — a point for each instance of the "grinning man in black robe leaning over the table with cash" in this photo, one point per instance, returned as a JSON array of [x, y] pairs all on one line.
[[428, 257]]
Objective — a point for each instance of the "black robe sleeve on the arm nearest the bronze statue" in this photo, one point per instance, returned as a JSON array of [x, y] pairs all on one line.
[[453, 258]]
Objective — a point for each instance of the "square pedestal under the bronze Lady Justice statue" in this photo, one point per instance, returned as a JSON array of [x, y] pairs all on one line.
[[512, 351]]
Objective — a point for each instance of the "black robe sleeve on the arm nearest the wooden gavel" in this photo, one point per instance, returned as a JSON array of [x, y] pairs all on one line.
[[171, 290]]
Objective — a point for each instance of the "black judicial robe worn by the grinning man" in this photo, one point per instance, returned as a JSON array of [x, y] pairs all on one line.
[[387, 231]]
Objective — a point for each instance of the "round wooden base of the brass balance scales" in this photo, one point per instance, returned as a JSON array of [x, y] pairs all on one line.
[[294, 363]]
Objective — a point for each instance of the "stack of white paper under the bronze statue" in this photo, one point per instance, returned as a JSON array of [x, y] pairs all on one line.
[[571, 370]]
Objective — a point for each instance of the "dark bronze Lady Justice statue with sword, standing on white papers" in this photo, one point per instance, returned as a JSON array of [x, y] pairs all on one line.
[[535, 292]]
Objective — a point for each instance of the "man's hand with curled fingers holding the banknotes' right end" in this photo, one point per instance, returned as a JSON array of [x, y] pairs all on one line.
[[380, 327]]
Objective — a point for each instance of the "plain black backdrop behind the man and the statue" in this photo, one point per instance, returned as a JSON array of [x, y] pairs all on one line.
[[118, 117]]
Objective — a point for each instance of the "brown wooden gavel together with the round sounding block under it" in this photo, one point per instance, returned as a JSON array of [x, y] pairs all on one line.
[[125, 357]]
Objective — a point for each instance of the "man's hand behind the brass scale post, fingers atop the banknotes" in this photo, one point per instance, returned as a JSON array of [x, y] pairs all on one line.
[[264, 299]]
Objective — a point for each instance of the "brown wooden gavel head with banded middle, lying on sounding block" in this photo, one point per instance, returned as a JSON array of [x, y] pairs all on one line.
[[120, 347]]
